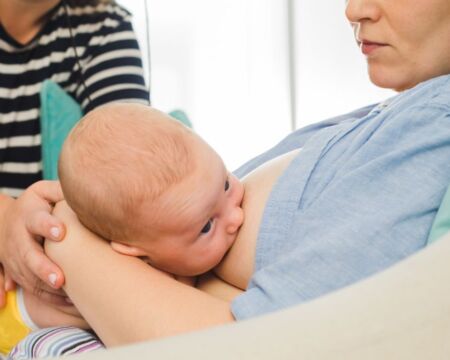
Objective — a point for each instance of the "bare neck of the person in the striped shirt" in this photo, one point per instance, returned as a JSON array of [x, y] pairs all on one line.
[[23, 19]]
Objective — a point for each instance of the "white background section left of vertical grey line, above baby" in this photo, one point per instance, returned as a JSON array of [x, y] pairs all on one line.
[[225, 63]]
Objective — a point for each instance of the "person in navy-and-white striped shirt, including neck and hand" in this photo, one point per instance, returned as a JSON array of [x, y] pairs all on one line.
[[90, 50]]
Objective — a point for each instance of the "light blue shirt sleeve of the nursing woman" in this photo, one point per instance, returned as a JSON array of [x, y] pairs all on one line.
[[362, 213]]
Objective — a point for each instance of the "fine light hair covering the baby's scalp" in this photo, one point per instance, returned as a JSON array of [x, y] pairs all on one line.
[[118, 157]]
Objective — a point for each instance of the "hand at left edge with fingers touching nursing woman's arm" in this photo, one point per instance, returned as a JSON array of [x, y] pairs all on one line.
[[26, 222]]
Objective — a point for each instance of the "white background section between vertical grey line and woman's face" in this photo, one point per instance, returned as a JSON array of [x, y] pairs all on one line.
[[331, 75]]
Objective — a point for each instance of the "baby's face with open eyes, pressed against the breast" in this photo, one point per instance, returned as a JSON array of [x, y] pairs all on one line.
[[200, 220]]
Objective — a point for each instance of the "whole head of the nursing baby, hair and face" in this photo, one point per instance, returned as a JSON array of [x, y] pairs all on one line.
[[153, 187]]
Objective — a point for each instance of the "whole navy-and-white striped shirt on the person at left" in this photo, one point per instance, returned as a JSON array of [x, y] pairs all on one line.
[[110, 64]]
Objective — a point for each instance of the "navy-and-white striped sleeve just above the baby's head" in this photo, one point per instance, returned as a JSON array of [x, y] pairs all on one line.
[[112, 66]]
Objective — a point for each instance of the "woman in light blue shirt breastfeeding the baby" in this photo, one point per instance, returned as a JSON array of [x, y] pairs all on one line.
[[341, 208]]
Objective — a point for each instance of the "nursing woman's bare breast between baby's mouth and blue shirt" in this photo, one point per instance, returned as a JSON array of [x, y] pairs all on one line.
[[237, 266]]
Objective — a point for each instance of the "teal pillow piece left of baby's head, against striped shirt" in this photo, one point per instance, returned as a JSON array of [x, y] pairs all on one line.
[[59, 113]]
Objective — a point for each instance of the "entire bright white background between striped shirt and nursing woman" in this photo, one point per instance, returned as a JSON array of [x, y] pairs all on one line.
[[225, 62]]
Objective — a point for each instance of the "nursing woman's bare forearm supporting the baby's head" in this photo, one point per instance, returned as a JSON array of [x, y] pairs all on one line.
[[122, 298]]
